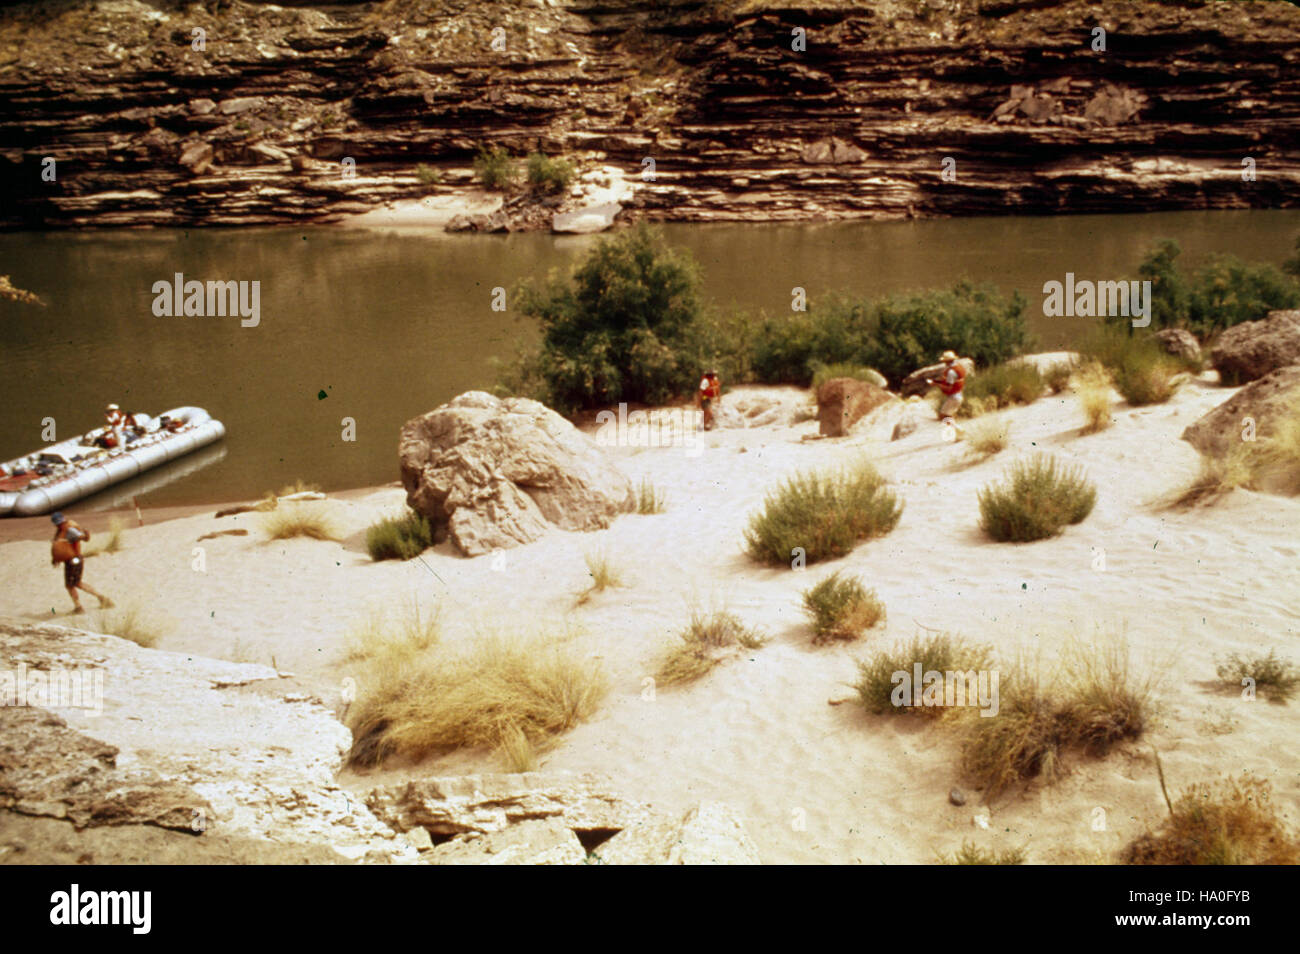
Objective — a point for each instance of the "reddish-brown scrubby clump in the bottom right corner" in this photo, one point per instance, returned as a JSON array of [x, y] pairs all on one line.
[[1230, 822]]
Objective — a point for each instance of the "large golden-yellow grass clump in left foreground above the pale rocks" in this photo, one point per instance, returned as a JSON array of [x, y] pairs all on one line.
[[499, 692]]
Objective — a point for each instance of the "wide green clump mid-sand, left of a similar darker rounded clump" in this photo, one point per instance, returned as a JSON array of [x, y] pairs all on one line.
[[824, 514]]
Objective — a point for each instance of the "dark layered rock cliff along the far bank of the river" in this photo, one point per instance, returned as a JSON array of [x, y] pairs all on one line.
[[123, 112]]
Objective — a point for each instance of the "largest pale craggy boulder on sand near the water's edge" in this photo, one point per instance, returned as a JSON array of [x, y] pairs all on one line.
[[499, 474]]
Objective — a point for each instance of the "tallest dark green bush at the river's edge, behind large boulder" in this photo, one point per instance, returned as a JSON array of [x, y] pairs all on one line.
[[625, 327]]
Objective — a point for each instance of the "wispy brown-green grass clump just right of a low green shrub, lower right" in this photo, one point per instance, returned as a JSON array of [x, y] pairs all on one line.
[[1090, 704]]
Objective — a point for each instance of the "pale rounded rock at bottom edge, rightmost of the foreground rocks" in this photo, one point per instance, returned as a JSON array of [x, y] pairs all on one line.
[[710, 834]]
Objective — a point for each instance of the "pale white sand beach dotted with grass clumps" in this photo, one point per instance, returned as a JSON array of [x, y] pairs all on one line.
[[817, 783]]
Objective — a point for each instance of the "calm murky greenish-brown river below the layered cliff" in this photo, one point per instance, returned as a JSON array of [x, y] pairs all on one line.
[[379, 327]]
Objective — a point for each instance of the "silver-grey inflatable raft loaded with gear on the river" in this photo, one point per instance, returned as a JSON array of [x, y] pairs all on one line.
[[70, 471]]
